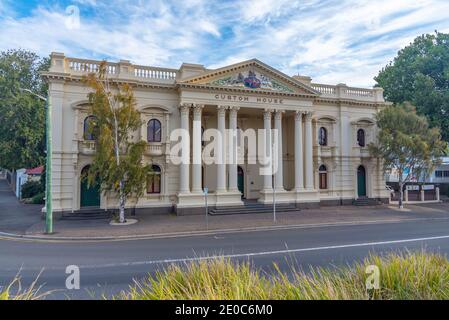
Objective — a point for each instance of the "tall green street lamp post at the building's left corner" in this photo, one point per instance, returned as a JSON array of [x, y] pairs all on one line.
[[48, 195]]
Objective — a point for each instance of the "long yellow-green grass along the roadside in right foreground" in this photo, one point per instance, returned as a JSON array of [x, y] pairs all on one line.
[[406, 276]]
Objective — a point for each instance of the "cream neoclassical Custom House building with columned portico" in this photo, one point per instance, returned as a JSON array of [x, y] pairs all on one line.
[[323, 156]]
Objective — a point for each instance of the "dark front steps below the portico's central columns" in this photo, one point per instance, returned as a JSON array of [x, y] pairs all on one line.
[[251, 207]]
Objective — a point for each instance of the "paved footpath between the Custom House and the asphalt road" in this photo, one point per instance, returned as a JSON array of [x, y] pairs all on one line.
[[24, 221]]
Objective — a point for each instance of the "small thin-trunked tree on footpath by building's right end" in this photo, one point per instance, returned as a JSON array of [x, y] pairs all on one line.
[[407, 144]]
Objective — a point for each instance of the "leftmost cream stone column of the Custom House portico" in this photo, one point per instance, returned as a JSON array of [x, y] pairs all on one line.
[[184, 183]]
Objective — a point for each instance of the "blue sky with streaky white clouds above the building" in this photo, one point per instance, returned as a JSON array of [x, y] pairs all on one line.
[[343, 41]]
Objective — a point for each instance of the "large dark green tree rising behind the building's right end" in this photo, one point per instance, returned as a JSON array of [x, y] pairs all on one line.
[[420, 75]]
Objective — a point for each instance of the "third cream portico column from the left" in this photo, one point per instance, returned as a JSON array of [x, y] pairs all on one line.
[[221, 166]]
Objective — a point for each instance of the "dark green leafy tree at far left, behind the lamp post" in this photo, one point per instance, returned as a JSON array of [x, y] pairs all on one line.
[[22, 116]]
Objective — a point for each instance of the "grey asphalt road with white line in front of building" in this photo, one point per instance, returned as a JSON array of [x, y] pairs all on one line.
[[108, 267]]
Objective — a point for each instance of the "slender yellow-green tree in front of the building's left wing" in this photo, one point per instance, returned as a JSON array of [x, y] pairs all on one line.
[[118, 161]]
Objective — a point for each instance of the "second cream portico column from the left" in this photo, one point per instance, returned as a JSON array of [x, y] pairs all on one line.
[[197, 151]]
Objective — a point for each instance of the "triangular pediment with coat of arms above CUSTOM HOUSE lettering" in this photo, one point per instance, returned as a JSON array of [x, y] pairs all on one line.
[[251, 75]]
